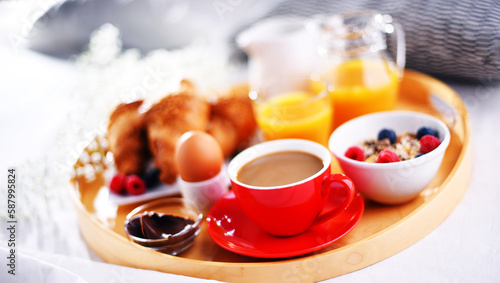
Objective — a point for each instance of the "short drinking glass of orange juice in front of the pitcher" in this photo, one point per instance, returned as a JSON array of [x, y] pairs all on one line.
[[293, 109]]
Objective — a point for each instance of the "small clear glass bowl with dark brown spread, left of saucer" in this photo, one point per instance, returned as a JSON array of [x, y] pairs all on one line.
[[167, 225]]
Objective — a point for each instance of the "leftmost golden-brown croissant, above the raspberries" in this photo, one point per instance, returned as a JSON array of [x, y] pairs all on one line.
[[127, 139]]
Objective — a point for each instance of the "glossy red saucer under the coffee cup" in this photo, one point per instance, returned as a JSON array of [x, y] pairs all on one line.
[[231, 229]]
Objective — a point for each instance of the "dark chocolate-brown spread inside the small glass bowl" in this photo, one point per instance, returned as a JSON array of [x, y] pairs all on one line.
[[152, 225]]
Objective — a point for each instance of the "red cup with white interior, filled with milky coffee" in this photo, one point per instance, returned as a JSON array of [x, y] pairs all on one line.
[[283, 185]]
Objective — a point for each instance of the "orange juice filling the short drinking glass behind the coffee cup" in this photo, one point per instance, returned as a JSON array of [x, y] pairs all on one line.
[[296, 115]]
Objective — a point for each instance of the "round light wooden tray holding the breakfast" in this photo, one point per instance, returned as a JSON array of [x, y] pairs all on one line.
[[382, 231]]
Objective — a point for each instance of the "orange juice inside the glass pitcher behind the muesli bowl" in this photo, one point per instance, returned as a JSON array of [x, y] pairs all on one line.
[[359, 87]]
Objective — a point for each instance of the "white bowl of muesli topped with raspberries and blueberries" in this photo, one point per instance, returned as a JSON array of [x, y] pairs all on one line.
[[391, 169]]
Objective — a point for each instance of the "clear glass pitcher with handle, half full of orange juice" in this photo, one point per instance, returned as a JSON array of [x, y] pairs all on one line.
[[361, 74]]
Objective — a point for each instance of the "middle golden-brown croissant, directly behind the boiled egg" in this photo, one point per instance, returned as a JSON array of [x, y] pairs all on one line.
[[166, 121]]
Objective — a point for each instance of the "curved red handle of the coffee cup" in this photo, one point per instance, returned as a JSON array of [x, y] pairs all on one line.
[[347, 184]]
